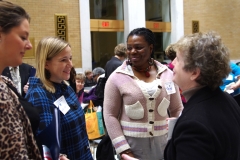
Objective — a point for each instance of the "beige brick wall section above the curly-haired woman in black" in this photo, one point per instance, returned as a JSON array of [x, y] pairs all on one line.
[[218, 15]]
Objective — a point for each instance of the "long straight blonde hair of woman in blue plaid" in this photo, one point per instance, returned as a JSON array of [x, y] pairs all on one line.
[[48, 48]]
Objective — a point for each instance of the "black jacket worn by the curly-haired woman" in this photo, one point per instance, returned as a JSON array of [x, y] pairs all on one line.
[[208, 129]]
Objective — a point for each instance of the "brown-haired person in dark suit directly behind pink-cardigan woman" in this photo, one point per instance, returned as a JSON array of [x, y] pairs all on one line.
[[116, 60]]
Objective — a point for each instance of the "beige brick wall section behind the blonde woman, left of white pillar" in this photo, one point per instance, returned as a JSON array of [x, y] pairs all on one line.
[[42, 22]]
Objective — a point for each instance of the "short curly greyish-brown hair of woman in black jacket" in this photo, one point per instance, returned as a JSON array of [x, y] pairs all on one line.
[[206, 52]]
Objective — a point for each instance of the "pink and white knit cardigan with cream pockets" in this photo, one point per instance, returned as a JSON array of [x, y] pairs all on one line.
[[130, 111]]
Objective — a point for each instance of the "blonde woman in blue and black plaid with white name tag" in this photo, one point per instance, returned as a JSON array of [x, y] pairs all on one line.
[[53, 64]]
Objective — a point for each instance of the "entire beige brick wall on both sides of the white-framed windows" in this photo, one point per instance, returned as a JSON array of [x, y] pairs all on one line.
[[219, 15]]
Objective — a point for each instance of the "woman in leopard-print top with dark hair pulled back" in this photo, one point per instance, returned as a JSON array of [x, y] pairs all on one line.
[[16, 140]]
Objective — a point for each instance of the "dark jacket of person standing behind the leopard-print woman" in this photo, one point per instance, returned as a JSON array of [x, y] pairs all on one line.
[[25, 72]]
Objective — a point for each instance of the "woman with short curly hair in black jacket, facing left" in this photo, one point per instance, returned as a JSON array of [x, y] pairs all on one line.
[[209, 126]]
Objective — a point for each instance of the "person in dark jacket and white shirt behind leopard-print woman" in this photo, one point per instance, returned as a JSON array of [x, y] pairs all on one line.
[[20, 75]]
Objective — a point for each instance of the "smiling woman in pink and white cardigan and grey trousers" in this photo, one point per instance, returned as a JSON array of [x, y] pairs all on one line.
[[137, 98]]
